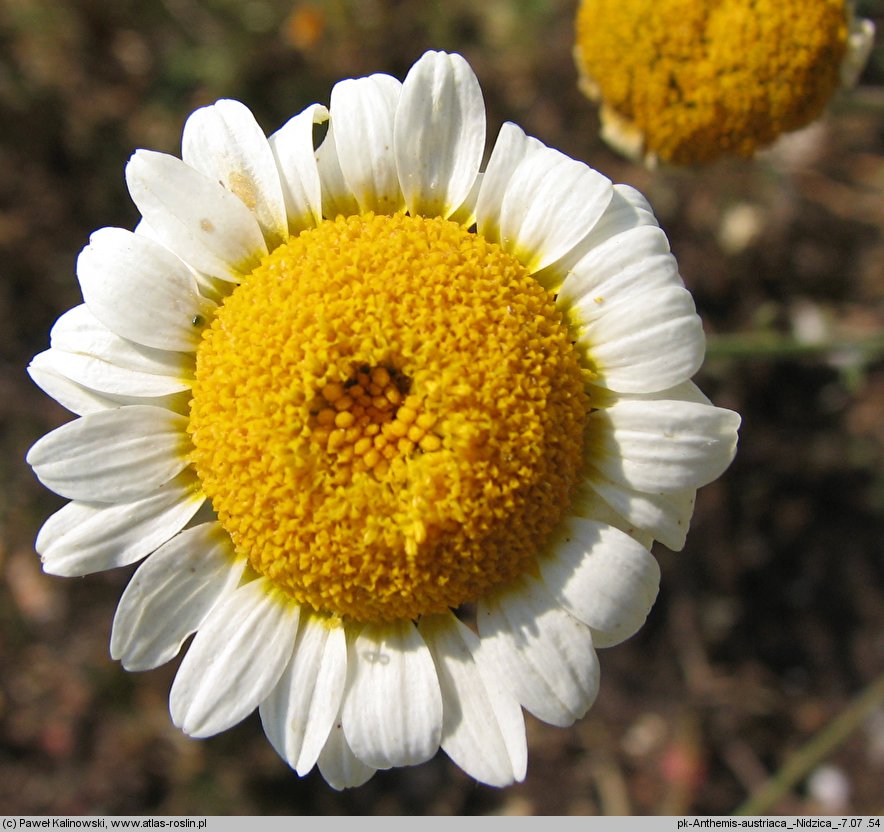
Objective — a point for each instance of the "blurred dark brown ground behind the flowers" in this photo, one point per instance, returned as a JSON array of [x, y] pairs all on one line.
[[768, 624]]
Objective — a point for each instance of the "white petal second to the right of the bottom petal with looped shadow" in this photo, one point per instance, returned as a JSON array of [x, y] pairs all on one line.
[[543, 654]]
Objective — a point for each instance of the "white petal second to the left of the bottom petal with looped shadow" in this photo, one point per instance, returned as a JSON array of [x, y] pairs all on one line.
[[235, 659]]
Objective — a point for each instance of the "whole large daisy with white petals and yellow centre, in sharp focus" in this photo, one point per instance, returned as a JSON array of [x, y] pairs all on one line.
[[439, 417]]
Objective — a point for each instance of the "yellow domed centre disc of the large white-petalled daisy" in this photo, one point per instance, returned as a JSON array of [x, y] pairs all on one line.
[[388, 417]]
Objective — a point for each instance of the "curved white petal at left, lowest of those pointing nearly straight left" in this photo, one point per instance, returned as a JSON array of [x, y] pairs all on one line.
[[83, 538]]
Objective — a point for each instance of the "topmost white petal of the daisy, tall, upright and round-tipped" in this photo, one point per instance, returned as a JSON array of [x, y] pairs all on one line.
[[439, 134]]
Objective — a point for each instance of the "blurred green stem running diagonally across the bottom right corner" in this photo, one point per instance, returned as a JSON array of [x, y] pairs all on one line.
[[815, 750]]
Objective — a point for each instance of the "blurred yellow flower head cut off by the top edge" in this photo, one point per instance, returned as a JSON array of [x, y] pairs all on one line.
[[684, 81]]
